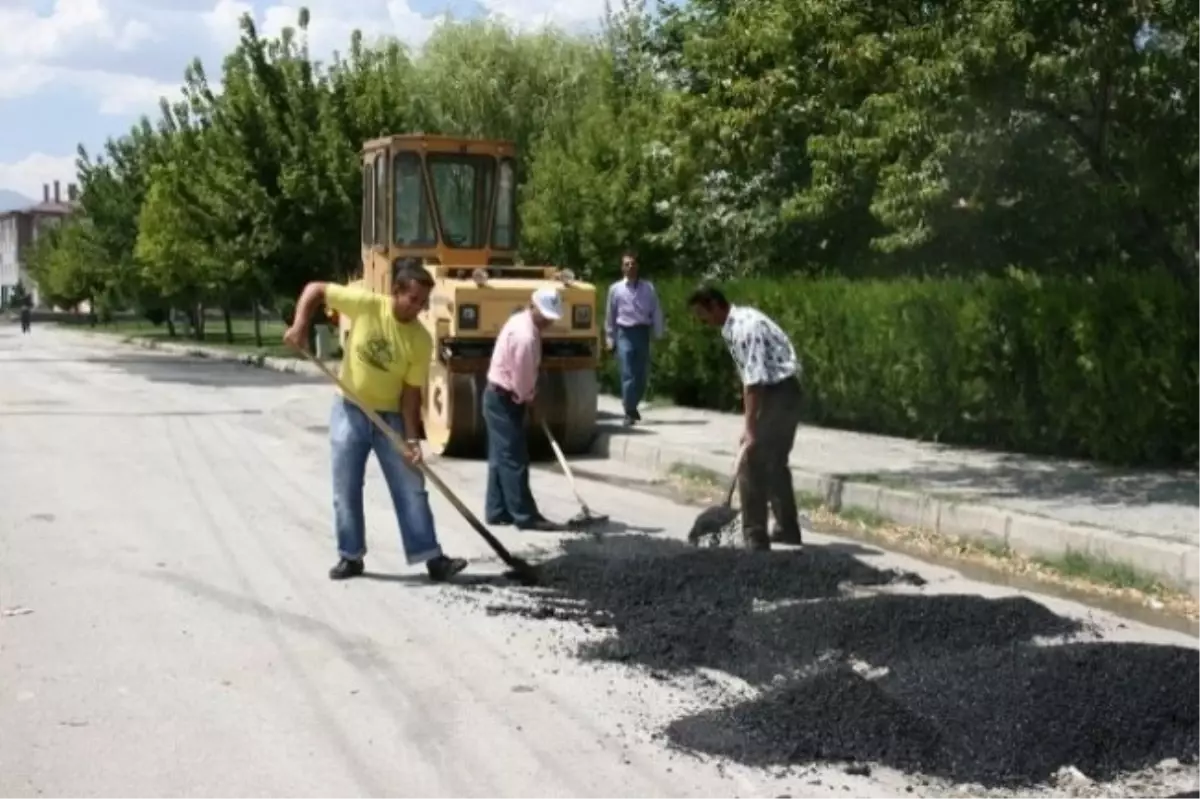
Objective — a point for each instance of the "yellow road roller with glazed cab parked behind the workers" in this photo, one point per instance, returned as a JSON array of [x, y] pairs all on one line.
[[452, 202]]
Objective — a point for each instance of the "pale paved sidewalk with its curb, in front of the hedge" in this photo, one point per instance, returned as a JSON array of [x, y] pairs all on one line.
[[1039, 508]]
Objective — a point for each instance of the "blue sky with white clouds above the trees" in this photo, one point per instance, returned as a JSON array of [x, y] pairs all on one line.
[[80, 71]]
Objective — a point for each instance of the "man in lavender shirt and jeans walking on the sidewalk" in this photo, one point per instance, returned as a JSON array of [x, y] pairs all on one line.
[[634, 315]]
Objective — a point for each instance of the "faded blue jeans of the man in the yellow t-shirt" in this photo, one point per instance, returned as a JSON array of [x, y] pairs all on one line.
[[353, 437]]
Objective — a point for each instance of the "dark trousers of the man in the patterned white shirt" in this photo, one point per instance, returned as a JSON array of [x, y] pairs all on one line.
[[766, 478]]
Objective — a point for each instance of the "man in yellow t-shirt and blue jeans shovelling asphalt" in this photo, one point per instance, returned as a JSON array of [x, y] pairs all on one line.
[[386, 364]]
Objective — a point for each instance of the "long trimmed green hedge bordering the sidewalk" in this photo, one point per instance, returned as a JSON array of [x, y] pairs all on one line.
[[1106, 369]]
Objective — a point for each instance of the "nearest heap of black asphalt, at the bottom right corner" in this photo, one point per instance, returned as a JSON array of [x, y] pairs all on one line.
[[994, 717]]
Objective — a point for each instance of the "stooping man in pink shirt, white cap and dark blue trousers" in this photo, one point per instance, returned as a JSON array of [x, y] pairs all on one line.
[[512, 388]]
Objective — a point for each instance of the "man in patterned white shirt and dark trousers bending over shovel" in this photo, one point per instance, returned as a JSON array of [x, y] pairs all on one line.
[[771, 395]]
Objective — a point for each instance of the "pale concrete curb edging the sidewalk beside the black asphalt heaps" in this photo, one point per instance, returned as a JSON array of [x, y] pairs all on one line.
[[1036, 537]]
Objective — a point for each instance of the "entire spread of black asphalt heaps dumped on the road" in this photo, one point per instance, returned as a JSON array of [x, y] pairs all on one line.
[[952, 687]]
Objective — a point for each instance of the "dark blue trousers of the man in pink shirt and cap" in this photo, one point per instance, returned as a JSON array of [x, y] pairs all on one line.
[[509, 498]]
